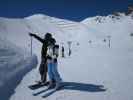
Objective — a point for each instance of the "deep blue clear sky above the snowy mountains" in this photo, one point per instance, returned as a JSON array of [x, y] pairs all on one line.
[[76, 10]]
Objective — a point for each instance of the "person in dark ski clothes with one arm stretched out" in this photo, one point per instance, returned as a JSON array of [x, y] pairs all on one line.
[[43, 64]]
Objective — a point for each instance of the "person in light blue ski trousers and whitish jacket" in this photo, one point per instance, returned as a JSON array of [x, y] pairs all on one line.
[[52, 55]]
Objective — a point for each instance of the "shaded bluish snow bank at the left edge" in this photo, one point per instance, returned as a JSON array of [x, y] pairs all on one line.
[[14, 64]]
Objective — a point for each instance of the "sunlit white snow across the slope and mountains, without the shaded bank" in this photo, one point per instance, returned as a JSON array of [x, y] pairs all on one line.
[[93, 71]]
